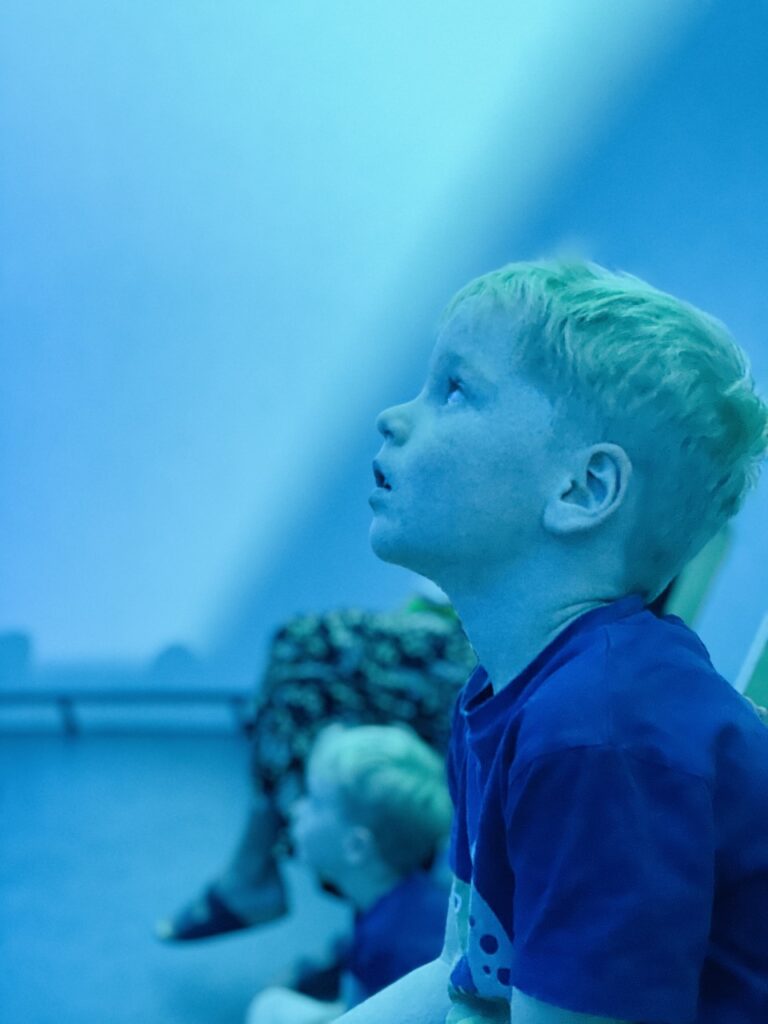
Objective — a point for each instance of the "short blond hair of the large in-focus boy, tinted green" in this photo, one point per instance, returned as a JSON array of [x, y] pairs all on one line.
[[647, 371]]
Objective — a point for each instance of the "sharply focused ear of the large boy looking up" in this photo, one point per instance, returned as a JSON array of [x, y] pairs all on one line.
[[593, 491]]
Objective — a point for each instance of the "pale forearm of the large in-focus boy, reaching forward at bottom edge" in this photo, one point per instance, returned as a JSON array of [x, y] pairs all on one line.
[[420, 998]]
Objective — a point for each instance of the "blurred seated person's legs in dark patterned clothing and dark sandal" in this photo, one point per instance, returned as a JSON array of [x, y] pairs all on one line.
[[349, 666]]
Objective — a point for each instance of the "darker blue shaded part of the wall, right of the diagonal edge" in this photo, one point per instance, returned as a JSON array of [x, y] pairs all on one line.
[[672, 187]]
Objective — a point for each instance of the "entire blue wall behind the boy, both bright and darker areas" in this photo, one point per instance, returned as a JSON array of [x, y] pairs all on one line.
[[227, 236]]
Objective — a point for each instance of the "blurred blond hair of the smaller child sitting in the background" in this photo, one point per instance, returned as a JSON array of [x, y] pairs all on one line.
[[392, 782]]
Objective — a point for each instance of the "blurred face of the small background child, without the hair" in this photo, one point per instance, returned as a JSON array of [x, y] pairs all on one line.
[[319, 829]]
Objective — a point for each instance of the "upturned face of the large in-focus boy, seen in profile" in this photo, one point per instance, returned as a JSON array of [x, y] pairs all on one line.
[[467, 466]]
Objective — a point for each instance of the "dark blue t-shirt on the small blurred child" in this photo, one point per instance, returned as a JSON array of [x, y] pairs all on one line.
[[404, 930]]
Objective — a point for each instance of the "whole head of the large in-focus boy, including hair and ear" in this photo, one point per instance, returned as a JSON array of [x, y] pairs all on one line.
[[568, 405]]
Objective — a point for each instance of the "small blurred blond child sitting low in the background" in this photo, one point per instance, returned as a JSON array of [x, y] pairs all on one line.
[[376, 812]]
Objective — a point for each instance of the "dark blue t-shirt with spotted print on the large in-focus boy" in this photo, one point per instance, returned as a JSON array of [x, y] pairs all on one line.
[[611, 838]]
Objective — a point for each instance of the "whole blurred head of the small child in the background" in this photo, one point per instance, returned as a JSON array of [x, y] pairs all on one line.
[[376, 801]]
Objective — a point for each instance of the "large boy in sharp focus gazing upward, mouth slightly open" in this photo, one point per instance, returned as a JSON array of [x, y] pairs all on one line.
[[580, 437]]
